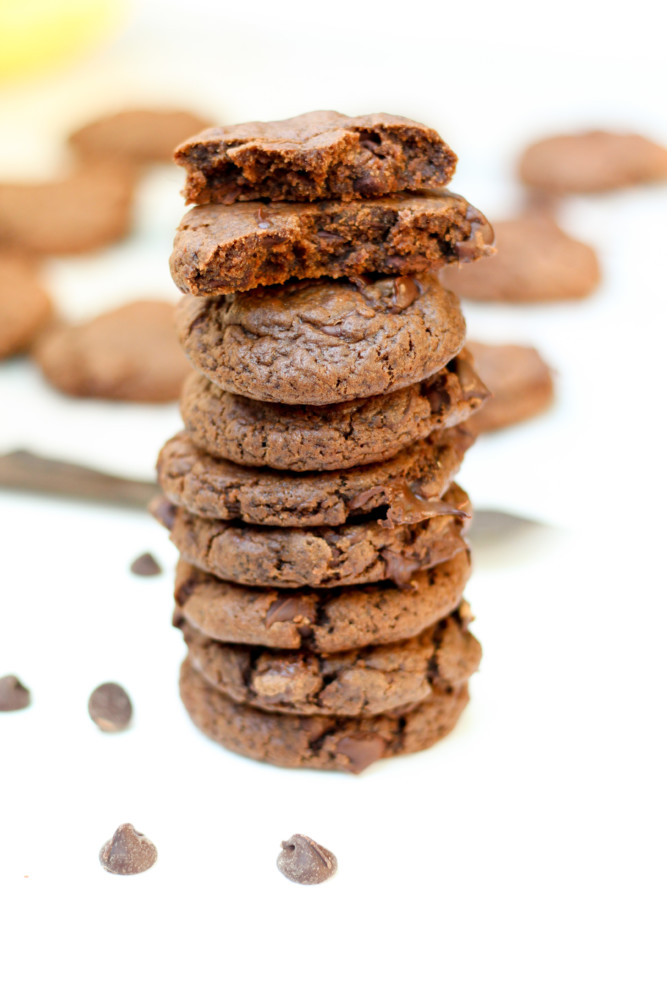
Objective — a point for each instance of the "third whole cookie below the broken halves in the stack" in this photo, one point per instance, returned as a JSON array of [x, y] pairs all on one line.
[[212, 487]]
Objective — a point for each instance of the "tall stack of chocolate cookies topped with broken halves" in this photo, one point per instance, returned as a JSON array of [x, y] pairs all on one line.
[[311, 496]]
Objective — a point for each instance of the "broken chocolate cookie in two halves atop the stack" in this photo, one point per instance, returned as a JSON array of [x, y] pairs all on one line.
[[232, 242]]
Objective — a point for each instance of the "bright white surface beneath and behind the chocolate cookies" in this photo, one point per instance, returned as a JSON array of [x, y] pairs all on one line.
[[524, 856]]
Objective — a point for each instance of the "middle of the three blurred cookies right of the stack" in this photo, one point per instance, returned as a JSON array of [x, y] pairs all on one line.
[[536, 262]]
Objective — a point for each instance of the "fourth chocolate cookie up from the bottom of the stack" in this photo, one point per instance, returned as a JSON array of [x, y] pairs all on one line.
[[365, 551]]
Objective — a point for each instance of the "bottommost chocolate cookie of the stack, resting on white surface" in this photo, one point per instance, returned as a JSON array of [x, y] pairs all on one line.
[[330, 743]]
